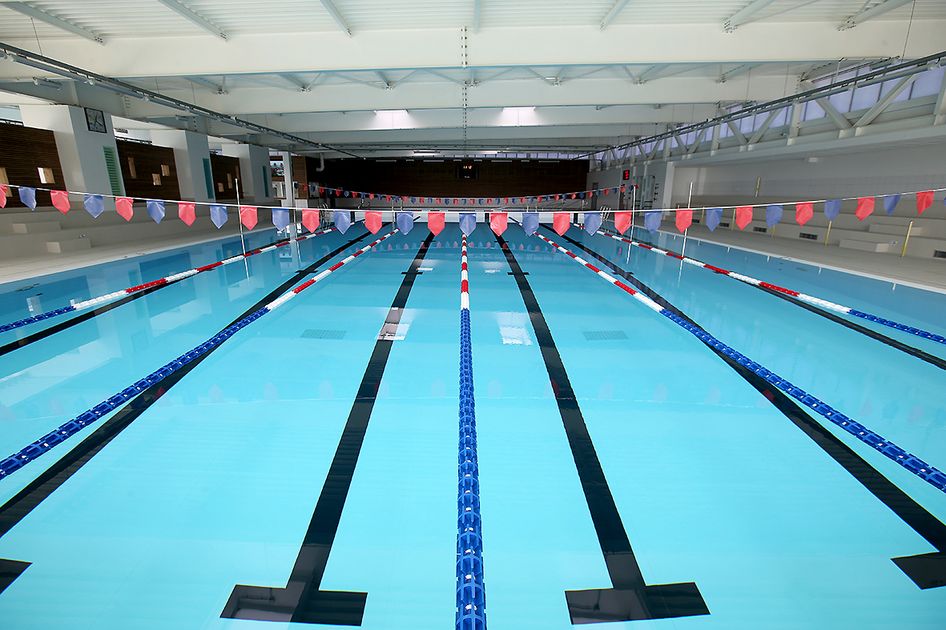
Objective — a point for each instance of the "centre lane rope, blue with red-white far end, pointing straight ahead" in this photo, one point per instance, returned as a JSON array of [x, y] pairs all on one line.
[[471, 591]]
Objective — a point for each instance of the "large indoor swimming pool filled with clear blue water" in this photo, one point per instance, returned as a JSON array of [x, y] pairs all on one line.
[[307, 465]]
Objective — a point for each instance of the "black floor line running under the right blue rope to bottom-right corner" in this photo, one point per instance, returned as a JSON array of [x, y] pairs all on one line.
[[926, 570]]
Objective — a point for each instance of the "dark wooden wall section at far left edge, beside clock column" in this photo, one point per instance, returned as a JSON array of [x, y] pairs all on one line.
[[23, 151]]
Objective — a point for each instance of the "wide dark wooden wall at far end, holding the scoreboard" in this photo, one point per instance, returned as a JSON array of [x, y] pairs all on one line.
[[426, 178]]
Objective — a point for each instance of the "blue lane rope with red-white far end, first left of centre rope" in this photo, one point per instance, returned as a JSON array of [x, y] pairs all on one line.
[[44, 444]]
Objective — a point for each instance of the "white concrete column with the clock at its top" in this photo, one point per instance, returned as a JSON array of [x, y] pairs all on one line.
[[82, 153]]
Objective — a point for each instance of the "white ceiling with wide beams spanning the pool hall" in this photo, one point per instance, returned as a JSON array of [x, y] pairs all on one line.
[[596, 71]]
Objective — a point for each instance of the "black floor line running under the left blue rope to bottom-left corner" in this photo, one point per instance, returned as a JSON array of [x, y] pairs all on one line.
[[27, 499]]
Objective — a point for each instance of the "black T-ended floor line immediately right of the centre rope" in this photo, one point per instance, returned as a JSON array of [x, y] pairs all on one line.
[[631, 598]]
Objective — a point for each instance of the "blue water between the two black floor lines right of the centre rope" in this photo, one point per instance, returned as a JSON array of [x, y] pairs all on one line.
[[712, 482]]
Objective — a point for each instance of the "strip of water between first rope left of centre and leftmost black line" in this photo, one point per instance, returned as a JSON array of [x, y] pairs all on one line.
[[53, 380]]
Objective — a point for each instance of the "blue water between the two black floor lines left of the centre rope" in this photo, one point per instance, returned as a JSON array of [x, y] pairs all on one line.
[[215, 483]]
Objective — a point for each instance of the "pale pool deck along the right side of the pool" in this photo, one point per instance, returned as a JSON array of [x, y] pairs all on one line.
[[928, 274]]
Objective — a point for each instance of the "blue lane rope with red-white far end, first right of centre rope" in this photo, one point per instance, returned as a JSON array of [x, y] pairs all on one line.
[[914, 464]]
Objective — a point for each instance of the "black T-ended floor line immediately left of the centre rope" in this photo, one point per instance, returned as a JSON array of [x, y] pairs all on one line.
[[302, 600]]
